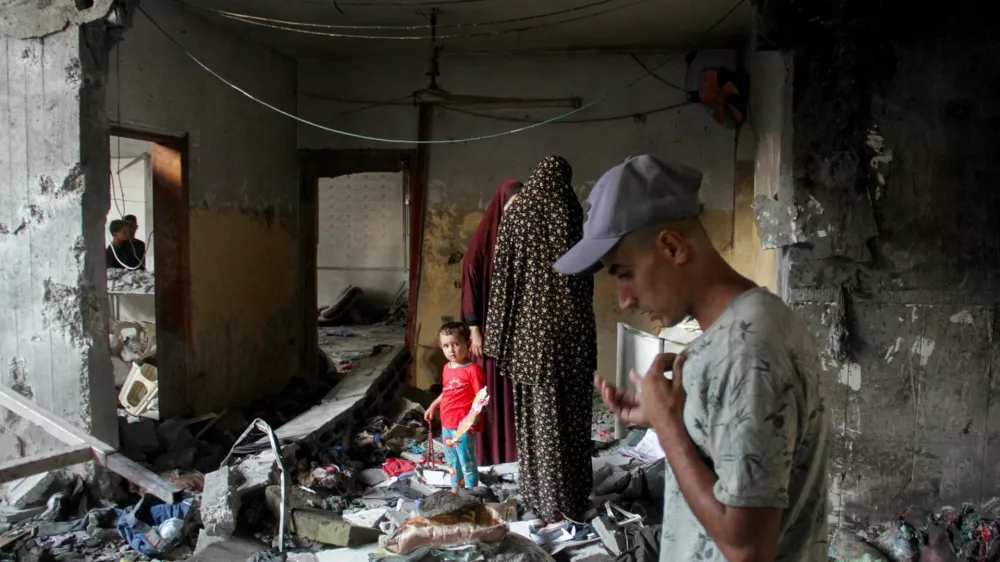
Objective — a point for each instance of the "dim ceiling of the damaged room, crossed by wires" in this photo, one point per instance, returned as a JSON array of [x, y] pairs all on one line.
[[577, 25]]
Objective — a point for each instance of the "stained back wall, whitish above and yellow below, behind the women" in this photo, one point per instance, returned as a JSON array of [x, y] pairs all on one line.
[[463, 177]]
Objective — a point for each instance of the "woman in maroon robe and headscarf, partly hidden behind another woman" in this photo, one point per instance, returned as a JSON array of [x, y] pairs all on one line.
[[497, 444]]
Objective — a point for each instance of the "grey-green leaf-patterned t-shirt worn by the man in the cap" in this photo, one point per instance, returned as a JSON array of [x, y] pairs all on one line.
[[756, 411]]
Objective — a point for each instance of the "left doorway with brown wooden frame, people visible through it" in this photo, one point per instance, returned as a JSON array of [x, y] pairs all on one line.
[[147, 269]]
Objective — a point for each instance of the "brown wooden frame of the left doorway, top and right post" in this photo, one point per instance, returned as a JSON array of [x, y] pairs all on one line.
[[171, 214]]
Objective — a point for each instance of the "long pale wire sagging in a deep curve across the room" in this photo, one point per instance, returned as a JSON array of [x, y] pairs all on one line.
[[598, 100]]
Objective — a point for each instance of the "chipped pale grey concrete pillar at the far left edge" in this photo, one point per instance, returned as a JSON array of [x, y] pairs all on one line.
[[53, 201]]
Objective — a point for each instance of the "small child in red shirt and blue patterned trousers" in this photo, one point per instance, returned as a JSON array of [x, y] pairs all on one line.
[[462, 379]]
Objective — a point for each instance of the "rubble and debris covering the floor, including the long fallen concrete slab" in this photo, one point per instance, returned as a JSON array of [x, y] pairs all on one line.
[[340, 467]]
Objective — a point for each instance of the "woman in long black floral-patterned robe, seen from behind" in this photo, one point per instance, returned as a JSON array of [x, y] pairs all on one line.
[[540, 328]]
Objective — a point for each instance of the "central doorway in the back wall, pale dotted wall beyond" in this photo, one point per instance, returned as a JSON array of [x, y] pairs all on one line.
[[366, 208]]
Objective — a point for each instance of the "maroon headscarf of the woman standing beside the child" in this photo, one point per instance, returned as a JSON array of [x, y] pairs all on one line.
[[477, 267]]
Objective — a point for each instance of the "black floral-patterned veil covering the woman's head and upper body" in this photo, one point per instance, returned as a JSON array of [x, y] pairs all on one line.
[[540, 324]]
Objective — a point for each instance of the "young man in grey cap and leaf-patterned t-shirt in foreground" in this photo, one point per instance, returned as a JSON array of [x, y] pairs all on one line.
[[742, 414]]
